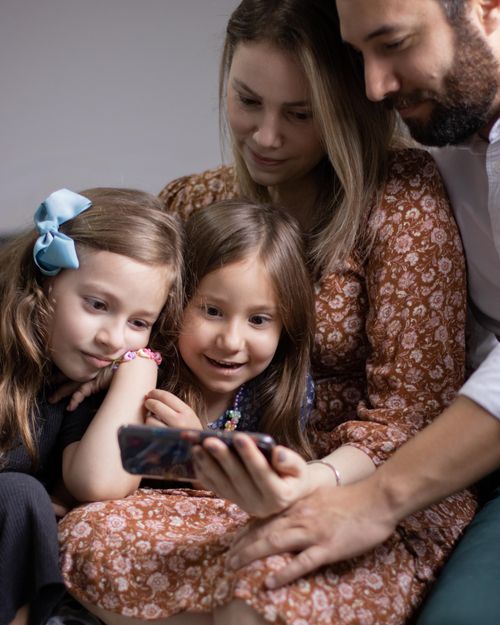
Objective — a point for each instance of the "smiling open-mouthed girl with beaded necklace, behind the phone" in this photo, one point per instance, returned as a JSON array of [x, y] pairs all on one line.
[[244, 340]]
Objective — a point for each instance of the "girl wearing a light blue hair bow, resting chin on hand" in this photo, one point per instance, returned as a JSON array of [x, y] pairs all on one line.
[[96, 282]]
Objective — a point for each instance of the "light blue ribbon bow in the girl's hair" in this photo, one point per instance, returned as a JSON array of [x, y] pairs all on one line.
[[53, 250]]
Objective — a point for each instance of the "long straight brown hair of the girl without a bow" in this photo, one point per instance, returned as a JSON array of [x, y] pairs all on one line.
[[228, 232]]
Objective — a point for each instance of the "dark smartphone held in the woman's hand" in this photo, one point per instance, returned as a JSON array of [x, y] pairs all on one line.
[[165, 453]]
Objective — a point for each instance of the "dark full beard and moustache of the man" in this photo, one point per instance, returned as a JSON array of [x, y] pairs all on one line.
[[470, 89]]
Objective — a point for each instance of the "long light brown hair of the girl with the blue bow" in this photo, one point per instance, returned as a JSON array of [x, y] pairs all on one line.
[[123, 221]]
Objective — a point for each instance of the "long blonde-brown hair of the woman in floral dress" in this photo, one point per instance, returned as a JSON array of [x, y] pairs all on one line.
[[356, 133]]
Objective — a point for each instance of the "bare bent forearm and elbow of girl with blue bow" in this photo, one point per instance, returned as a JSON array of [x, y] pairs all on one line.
[[92, 468]]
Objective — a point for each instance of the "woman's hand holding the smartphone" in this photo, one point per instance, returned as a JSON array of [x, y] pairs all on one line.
[[247, 478]]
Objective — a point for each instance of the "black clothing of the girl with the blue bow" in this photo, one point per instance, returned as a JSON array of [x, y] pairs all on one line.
[[29, 549]]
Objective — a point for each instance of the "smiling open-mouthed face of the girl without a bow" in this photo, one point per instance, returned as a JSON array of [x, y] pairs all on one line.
[[231, 327]]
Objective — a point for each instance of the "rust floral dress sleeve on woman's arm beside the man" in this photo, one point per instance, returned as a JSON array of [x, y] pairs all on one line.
[[415, 324]]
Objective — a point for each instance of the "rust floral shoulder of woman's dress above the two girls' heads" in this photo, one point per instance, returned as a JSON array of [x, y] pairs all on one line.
[[188, 193]]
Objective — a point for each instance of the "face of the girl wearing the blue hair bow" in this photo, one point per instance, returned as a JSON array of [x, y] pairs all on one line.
[[98, 315]]
